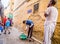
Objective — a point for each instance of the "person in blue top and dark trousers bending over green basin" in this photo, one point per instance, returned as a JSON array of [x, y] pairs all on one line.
[[30, 25]]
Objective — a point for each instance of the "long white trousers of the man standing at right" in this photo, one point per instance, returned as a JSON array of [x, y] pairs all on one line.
[[48, 32]]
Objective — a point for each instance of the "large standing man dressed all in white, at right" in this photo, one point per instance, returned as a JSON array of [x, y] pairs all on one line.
[[51, 15]]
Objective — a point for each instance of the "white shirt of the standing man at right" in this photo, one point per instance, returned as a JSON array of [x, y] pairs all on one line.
[[52, 15]]
